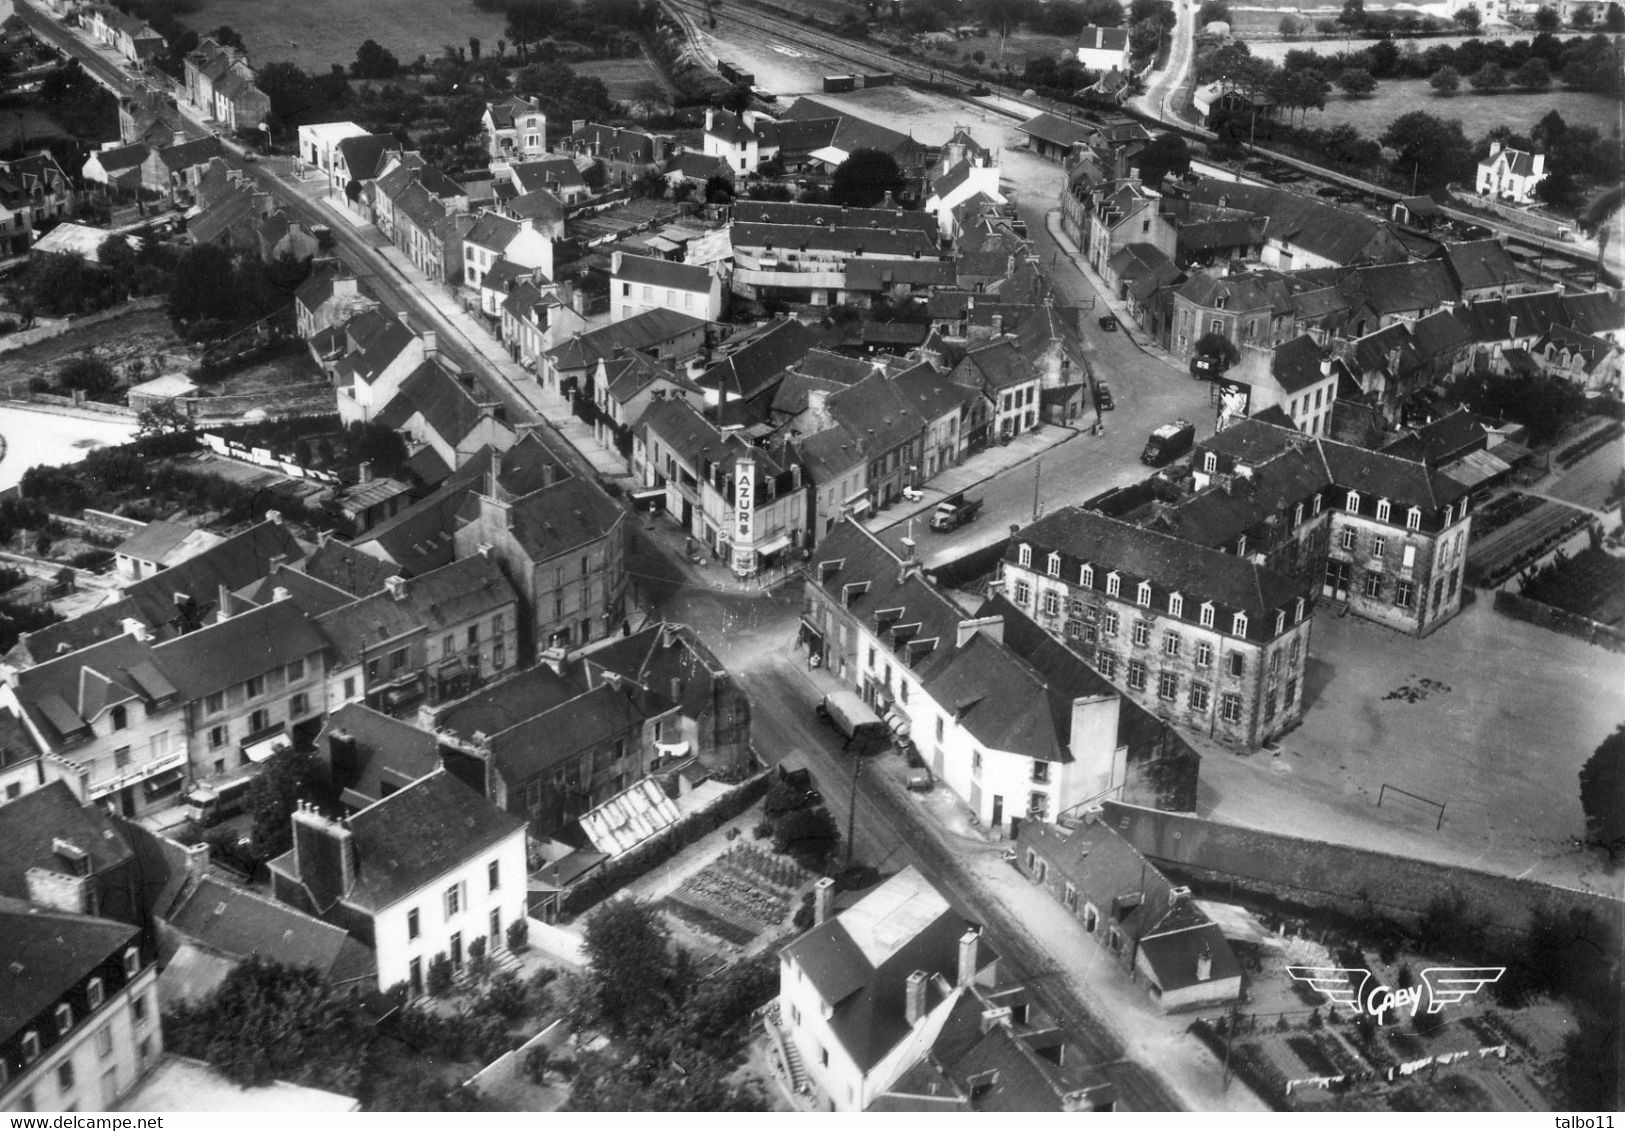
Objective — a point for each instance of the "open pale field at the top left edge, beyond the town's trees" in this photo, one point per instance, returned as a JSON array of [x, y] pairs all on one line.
[[318, 33]]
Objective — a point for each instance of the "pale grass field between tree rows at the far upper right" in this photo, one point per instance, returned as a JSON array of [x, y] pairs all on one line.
[[1478, 113]]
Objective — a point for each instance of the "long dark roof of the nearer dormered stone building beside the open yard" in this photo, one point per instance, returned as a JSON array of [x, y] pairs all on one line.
[[1171, 565]]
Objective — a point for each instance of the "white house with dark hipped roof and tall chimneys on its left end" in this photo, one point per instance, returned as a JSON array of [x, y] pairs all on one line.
[[420, 875]]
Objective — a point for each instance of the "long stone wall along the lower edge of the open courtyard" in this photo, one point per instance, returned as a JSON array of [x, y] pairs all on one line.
[[1353, 882]]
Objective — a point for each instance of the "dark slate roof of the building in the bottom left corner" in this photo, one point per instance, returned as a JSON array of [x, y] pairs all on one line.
[[46, 955]]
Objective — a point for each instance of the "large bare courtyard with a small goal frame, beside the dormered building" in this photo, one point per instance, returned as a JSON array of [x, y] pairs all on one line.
[[1489, 717]]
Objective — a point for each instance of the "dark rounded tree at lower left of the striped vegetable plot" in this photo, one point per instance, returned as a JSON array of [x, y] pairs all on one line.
[[631, 964]]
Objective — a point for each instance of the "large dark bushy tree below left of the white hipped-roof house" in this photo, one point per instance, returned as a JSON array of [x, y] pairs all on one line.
[[274, 1023]]
